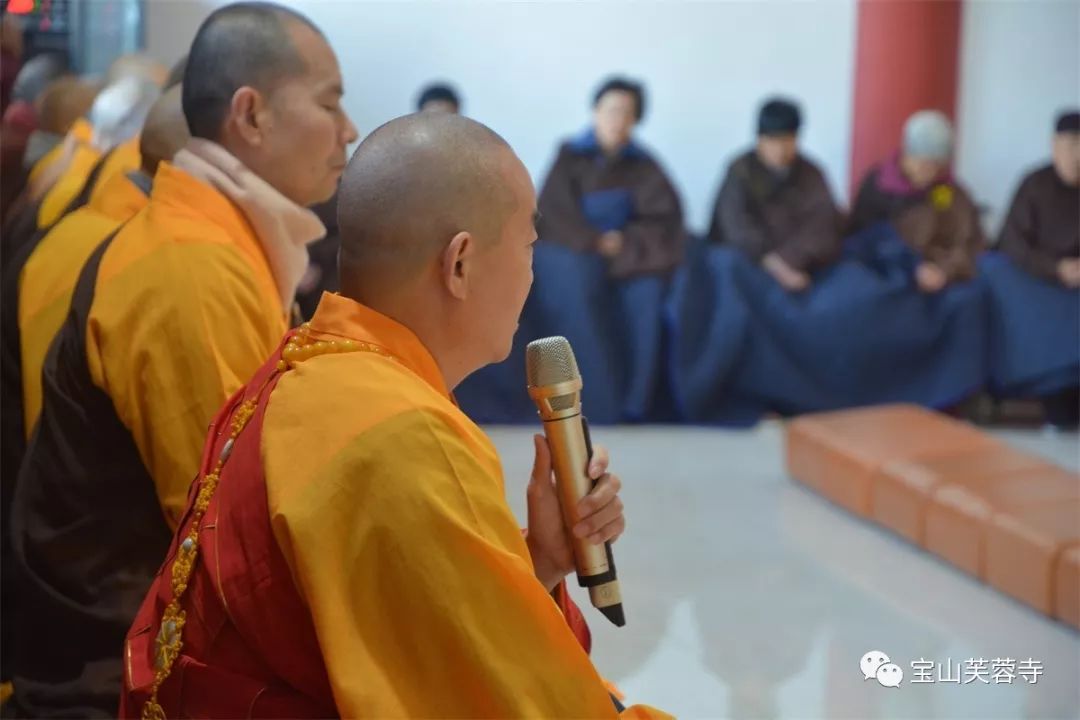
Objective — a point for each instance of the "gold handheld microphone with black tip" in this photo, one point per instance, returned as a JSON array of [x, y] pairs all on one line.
[[555, 385]]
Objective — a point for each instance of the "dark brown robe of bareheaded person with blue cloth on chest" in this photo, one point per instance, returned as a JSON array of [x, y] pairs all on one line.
[[654, 237]]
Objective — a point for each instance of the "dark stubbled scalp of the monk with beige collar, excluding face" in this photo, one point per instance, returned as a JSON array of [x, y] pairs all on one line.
[[244, 45]]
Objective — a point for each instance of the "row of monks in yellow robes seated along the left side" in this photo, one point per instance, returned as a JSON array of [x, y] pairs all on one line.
[[150, 271]]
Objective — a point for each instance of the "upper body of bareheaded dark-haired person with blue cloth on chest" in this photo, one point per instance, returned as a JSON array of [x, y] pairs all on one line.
[[607, 195]]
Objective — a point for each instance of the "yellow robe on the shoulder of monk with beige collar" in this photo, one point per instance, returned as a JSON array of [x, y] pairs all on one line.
[[185, 310]]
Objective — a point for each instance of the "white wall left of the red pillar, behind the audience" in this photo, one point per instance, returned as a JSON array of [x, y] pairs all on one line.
[[529, 70]]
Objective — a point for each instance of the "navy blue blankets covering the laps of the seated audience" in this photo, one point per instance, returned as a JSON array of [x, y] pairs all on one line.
[[728, 345]]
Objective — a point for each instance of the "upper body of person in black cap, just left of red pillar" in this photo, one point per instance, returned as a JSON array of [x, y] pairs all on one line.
[[775, 205]]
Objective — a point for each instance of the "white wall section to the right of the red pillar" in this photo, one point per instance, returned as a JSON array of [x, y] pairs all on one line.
[[1020, 65]]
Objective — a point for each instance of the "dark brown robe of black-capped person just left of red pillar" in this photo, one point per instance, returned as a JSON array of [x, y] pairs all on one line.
[[760, 212]]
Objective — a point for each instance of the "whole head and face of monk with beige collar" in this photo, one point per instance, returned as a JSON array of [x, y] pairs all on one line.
[[263, 83]]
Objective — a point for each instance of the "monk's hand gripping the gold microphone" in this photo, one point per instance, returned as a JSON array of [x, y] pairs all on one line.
[[601, 518]]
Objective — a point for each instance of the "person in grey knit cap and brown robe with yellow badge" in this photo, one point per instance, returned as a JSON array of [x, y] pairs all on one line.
[[916, 193]]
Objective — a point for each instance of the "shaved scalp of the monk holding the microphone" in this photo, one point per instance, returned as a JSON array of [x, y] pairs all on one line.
[[411, 187]]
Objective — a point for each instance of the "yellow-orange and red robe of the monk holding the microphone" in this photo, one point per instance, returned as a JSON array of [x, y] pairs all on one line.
[[387, 514]]
